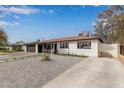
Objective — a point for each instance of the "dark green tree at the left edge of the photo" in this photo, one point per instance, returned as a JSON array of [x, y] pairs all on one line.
[[3, 38]]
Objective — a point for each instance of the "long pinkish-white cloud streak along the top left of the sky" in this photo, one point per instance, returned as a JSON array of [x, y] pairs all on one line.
[[26, 10]]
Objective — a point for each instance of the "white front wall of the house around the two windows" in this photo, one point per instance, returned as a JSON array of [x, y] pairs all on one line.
[[75, 51]]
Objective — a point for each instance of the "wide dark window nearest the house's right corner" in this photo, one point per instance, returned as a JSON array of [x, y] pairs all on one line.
[[84, 45]]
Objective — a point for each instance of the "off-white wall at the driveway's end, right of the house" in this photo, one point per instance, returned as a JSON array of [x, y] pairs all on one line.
[[111, 49]]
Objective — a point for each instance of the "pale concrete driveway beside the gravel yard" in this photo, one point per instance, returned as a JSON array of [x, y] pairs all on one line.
[[92, 72]]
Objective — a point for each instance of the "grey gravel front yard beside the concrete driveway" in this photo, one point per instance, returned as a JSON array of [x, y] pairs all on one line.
[[34, 73]]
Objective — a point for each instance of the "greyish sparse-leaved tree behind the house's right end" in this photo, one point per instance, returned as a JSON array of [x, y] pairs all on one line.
[[103, 25]]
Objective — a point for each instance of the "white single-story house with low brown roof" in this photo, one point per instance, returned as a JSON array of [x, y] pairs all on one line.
[[76, 45]]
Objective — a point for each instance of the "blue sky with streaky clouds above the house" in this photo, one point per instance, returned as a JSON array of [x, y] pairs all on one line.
[[29, 23]]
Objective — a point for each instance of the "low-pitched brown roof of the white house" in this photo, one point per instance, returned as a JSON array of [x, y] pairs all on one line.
[[74, 38]]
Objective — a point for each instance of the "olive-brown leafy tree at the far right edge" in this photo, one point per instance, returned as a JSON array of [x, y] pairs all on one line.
[[118, 19]]
